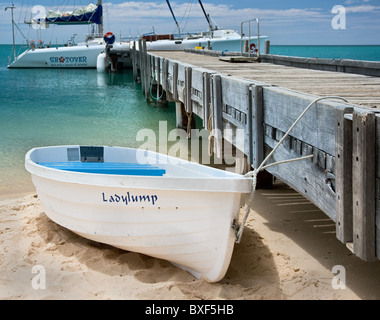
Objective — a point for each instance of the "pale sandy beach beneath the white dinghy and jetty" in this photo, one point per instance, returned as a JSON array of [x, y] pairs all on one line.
[[288, 251]]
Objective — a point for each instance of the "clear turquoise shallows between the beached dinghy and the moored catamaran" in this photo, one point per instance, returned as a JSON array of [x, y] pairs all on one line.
[[41, 107]]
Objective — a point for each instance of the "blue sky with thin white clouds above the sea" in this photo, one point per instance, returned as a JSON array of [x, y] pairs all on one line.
[[285, 22]]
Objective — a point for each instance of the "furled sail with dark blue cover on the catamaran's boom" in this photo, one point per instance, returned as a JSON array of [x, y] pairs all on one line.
[[85, 15]]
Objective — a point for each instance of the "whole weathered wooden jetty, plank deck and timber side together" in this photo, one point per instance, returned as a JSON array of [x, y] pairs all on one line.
[[264, 99]]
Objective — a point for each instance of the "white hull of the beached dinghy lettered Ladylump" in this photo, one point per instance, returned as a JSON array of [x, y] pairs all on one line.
[[188, 225]]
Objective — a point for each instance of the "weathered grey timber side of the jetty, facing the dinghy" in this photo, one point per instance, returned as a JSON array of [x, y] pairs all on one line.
[[343, 176]]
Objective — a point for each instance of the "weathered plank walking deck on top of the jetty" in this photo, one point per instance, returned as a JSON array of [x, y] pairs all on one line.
[[357, 89]]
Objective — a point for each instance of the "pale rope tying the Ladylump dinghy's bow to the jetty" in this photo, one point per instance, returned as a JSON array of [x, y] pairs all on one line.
[[238, 229]]
